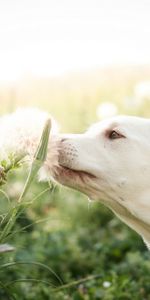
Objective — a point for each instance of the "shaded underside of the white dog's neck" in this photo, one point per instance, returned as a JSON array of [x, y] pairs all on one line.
[[132, 221]]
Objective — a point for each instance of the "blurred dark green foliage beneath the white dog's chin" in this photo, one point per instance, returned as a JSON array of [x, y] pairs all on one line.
[[60, 239]]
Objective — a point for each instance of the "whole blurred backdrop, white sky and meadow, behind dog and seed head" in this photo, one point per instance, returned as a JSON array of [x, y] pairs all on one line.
[[82, 61]]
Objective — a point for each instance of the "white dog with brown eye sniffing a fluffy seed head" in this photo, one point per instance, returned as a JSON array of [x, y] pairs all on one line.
[[111, 163]]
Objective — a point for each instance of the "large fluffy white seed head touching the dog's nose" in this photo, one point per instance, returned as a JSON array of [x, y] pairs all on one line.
[[20, 133]]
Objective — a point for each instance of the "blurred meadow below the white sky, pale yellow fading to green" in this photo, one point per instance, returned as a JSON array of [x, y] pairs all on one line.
[[66, 248]]
